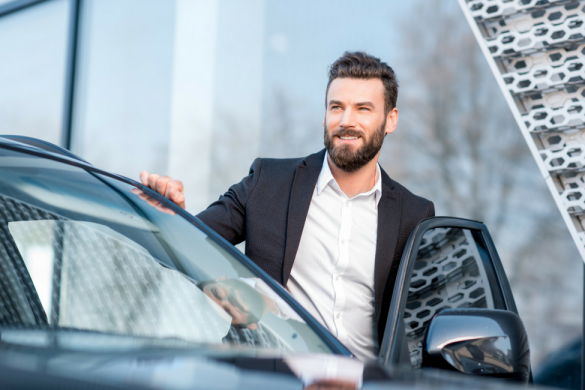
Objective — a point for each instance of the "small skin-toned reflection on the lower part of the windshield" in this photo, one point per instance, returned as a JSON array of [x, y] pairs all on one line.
[[229, 299]]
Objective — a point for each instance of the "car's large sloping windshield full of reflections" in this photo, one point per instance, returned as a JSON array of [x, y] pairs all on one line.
[[81, 251]]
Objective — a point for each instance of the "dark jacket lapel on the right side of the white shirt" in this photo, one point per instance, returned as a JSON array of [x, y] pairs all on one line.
[[388, 229]]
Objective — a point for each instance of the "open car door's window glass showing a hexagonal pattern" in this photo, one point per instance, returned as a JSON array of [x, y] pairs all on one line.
[[452, 270]]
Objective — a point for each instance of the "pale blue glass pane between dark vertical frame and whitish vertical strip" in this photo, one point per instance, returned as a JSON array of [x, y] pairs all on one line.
[[122, 111]]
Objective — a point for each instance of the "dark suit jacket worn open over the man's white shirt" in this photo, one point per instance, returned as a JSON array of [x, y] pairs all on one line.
[[268, 209]]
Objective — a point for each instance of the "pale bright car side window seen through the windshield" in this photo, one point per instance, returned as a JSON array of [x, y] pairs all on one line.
[[142, 296]]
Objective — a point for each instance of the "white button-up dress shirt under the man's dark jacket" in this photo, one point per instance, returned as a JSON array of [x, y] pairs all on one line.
[[333, 272]]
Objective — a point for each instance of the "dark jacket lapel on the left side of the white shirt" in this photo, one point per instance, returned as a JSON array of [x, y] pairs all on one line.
[[304, 183]]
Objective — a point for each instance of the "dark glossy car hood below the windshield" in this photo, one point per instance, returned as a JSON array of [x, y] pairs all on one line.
[[53, 359]]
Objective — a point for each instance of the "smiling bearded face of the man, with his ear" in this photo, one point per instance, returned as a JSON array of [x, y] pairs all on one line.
[[355, 122]]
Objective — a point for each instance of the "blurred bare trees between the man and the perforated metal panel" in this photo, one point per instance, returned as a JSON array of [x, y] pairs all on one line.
[[458, 144]]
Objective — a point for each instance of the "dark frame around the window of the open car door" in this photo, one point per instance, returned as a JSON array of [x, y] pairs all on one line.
[[391, 351]]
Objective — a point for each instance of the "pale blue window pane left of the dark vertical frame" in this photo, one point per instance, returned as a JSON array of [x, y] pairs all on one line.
[[33, 48]]
